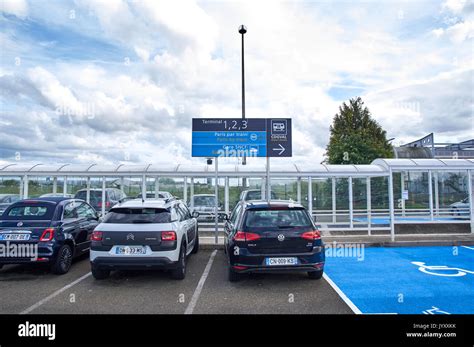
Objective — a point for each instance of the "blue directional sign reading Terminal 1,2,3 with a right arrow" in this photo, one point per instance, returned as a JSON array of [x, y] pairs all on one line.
[[236, 137]]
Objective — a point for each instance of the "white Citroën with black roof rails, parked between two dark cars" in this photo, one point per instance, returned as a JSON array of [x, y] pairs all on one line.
[[143, 235]]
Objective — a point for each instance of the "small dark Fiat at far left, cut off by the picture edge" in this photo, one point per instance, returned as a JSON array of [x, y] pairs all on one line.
[[53, 229]]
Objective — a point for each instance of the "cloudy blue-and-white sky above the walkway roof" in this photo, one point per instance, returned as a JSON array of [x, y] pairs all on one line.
[[116, 81]]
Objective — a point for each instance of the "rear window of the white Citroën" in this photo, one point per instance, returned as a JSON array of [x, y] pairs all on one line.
[[124, 215]]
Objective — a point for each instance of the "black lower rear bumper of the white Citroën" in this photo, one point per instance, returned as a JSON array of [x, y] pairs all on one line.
[[132, 263]]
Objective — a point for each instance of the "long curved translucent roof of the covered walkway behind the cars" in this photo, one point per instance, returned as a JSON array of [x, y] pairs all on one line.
[[379, 167]]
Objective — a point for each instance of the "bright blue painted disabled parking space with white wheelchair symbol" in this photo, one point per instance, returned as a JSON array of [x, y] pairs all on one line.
[[408, 280]]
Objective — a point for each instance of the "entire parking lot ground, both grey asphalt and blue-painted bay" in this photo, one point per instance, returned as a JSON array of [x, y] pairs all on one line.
[[390, 280]]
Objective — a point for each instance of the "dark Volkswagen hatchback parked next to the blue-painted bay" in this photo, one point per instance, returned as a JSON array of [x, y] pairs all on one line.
[[274, 236]]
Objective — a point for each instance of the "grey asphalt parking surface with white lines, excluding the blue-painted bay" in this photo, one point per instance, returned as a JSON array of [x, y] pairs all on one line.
[[205, 289]]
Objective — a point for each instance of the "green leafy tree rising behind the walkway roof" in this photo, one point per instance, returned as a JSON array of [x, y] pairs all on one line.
[[356, 138]]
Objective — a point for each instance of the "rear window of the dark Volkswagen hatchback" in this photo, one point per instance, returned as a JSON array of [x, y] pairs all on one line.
[[276, 218]]
